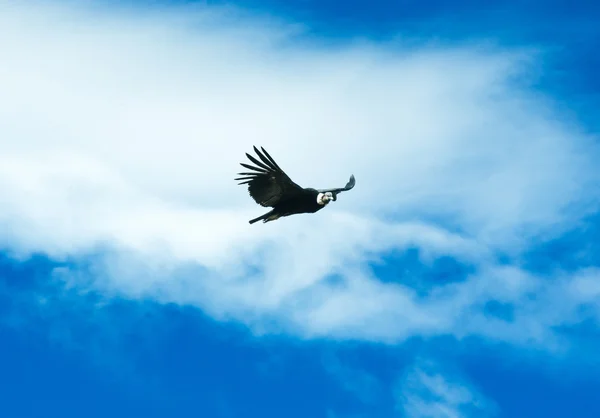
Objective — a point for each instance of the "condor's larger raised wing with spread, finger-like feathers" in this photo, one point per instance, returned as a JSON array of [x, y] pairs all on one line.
[[268, 184]]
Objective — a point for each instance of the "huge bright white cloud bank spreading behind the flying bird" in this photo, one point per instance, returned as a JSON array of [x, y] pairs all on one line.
[[123, 131]]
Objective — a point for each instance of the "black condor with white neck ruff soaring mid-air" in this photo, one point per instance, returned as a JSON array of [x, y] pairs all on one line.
[[269, 186]]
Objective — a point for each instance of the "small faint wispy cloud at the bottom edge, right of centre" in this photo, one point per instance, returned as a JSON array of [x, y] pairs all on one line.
[[426, 392]]
